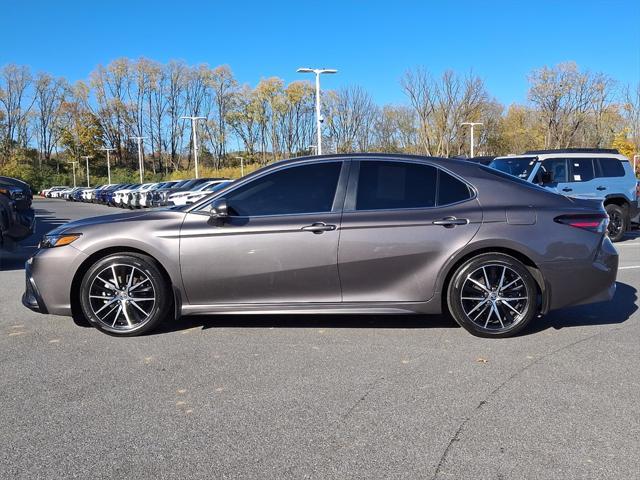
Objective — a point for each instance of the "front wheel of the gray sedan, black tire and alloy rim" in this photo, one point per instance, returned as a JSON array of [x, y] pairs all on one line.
[[128, 321]]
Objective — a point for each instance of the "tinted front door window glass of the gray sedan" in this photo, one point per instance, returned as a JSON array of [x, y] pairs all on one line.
[[294, 190]]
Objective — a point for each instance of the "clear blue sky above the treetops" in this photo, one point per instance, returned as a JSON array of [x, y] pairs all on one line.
[[371, 43]]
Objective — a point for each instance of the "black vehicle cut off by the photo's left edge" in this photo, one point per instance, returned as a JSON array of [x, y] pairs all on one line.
[[17, 218]]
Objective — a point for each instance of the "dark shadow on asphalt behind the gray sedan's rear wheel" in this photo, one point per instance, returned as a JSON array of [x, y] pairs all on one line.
[[618, 310]]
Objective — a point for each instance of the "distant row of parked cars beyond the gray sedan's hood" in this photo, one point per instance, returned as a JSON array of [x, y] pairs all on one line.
[[145, 195]]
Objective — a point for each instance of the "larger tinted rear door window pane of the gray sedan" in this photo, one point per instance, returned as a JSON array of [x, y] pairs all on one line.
[[394, 185]]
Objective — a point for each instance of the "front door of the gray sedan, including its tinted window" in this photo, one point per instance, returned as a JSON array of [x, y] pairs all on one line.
[[279, 243]]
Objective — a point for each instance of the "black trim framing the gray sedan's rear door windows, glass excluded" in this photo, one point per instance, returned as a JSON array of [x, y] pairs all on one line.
[[352, 191]]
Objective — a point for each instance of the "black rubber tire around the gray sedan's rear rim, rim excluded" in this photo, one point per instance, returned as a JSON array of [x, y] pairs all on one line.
[[457, 281]]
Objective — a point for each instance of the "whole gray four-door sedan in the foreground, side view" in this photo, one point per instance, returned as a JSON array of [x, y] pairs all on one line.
[[361, 233]]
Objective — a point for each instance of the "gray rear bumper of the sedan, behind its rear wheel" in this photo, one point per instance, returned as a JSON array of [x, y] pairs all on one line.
[[580, 282]]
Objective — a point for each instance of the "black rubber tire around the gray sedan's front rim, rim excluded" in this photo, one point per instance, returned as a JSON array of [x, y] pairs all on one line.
[[146, 265]]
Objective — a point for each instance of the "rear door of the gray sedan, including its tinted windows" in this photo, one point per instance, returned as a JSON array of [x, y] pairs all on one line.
[[402, 220]]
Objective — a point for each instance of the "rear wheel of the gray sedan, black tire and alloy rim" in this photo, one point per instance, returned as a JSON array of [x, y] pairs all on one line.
[[468, 301]]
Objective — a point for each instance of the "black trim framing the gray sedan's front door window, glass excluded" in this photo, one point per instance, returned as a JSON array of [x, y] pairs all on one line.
[[338, 199]]
